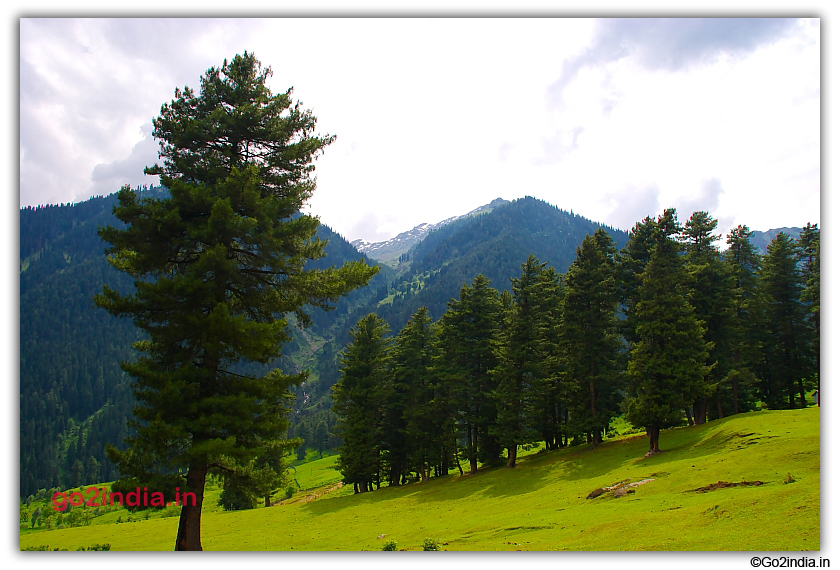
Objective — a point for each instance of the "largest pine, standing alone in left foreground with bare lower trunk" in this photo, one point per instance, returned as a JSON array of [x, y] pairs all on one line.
[[217, 265]]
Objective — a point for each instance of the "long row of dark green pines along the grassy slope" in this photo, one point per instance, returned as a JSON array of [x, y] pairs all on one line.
[[669, 330]]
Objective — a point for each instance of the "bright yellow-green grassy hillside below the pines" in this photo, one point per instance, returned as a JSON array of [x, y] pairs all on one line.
[[543, 504]]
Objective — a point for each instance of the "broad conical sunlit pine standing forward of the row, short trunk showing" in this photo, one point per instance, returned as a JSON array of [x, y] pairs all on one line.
[[668, 361]]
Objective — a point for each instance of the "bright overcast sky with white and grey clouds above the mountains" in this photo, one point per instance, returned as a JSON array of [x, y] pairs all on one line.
[[614, 119]]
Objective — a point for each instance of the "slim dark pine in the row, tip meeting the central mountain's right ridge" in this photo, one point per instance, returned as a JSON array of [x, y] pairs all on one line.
[[591, 342]]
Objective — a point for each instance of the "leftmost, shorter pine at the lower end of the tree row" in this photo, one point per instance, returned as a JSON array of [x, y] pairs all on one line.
[[359, 397]]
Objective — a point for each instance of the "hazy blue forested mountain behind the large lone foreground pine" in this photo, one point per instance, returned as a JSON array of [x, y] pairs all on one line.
[[74, 397]]
